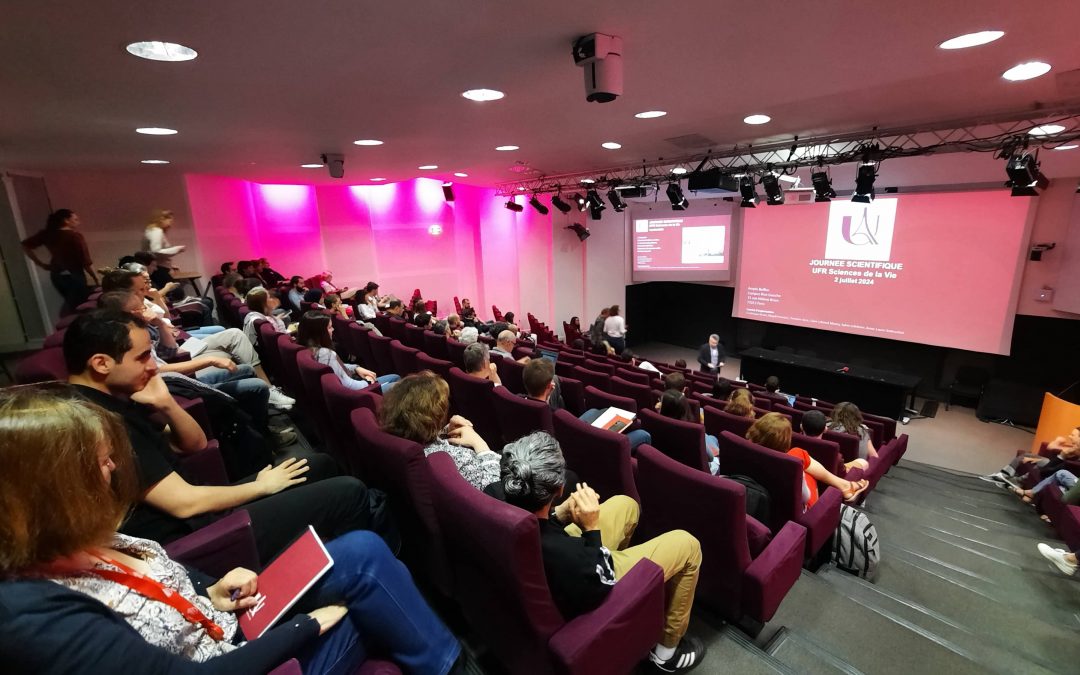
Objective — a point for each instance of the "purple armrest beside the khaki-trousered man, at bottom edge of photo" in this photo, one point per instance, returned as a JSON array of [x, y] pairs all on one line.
[[616, 637]]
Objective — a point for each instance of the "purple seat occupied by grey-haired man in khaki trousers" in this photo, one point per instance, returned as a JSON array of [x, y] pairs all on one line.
[[495, 551]]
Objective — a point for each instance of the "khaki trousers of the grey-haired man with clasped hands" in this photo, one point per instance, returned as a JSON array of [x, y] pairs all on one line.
[[677, 552]]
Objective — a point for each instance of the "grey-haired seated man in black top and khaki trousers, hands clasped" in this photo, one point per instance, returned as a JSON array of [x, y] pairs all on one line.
[[585, 546]]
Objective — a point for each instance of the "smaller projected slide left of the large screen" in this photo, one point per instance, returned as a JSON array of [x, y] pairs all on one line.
[[683, 248]]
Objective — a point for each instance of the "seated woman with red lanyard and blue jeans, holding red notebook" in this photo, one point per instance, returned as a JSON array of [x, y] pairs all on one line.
[[79, 598]]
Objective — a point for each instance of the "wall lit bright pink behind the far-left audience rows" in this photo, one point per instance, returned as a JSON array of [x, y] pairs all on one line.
[[404, 236]]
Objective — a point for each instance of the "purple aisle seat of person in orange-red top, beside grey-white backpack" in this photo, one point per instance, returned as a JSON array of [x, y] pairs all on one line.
[[781, 476]]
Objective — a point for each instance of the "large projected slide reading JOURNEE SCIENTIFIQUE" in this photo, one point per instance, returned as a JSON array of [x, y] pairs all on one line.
[[939, 269]]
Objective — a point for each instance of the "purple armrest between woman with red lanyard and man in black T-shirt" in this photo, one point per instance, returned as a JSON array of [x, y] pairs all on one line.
[[222, 546]]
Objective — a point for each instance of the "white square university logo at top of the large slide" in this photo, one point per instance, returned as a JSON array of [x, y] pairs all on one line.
[[861, 232]]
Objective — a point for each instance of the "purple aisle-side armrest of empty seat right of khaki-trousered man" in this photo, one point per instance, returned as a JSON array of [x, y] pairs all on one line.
[[772, 575]]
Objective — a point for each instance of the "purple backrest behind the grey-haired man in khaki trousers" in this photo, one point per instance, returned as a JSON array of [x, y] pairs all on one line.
[[495, 551]]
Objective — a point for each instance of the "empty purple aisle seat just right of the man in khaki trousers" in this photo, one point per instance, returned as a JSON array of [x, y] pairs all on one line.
[[737, 580]]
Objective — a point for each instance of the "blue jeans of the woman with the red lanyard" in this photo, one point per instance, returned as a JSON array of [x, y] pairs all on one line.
[[387, 614]]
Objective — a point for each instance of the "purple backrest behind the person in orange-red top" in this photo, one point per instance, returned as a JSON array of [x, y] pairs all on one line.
[[779, 474]]
